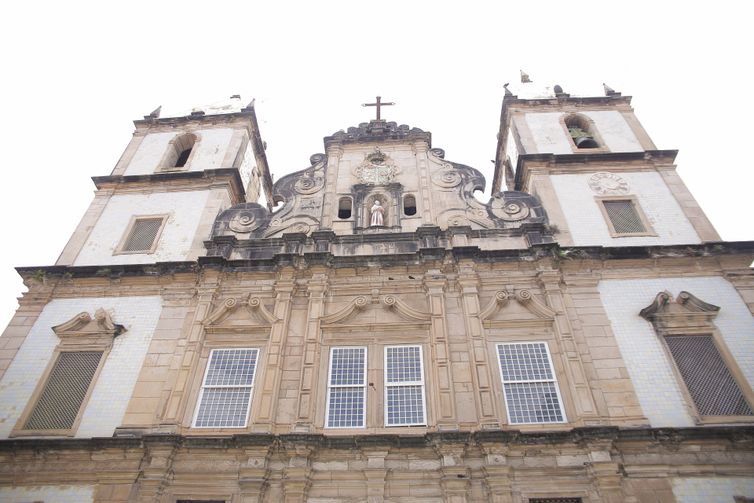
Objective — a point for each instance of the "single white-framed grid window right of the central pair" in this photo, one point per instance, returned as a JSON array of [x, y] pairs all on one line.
[[529, 384]]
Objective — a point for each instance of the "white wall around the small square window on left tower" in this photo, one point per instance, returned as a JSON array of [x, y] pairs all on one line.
[[184, 209]]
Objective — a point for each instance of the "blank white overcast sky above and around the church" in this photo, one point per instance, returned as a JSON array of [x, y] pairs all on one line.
[[74, 76]]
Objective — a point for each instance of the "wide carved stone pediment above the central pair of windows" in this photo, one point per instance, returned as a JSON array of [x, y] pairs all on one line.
[[376, 312]]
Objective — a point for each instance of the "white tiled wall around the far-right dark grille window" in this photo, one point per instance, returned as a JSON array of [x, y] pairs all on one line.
[[651, 372]]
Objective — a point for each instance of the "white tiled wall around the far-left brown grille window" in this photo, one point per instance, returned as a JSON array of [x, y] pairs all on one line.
[[112, 391]]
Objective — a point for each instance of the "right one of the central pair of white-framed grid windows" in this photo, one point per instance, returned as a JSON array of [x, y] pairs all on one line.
[[404, 386]]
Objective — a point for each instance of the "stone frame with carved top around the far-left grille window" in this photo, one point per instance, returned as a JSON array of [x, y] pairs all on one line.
[[82, 333]]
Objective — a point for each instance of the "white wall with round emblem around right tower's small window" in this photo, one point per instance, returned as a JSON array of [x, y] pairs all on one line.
[[589, 228]]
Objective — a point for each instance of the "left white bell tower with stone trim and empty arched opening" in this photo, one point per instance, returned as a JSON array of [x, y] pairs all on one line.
[[176, 174]]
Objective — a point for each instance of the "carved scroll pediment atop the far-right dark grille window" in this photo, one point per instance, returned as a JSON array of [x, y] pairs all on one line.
[[686, 314]]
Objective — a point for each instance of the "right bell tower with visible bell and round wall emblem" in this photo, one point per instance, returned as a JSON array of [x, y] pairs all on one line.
[[601, 179]]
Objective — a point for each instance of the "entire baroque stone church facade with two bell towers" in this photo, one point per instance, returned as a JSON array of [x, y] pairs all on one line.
[[368, 330]]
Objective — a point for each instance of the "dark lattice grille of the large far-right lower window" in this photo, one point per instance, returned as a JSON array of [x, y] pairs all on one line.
[[708, 380]]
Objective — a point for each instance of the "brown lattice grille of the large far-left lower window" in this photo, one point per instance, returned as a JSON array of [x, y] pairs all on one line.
[[64, 392]]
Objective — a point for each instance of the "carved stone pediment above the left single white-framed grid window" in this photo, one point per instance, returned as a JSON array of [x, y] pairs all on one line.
[[238, 314]]
